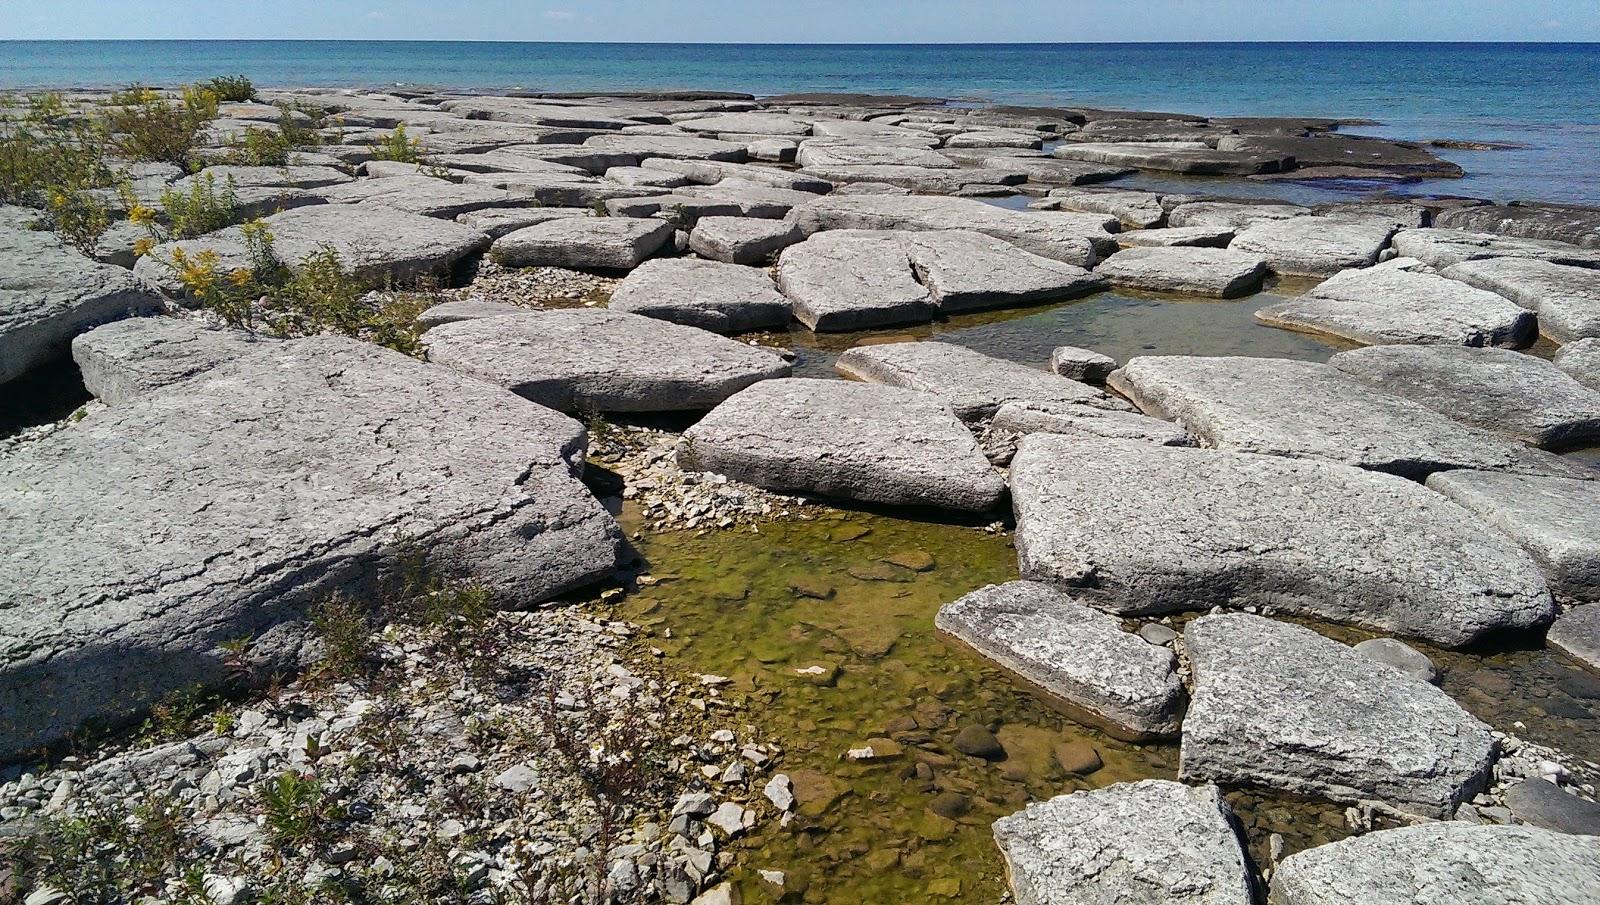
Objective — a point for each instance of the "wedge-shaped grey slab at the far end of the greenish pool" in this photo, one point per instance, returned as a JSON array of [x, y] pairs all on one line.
[[838, 439]]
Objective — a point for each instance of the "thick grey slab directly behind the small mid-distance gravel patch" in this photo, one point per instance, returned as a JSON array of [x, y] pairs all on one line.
[[602, 244]]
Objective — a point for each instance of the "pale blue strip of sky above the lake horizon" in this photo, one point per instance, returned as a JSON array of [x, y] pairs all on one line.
[[804, 22]]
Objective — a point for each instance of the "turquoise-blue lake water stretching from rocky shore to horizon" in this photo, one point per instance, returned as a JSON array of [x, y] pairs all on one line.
[[1546, 97]]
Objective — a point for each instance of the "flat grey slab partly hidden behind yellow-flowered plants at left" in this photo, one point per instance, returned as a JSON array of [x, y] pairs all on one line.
[[375, 241]]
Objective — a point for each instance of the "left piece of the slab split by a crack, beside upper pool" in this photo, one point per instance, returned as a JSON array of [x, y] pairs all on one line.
[[846, 281]]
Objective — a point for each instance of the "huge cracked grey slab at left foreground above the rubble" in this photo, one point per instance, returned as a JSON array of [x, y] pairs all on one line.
[[148, 536]]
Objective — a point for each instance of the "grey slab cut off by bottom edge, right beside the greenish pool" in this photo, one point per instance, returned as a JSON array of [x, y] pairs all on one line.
[[1134, 843]]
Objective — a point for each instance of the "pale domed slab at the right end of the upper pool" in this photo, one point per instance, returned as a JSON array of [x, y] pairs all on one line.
[[1393, 306]]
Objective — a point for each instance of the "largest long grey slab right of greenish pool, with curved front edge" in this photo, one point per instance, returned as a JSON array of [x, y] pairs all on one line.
[[1148, 530]]
